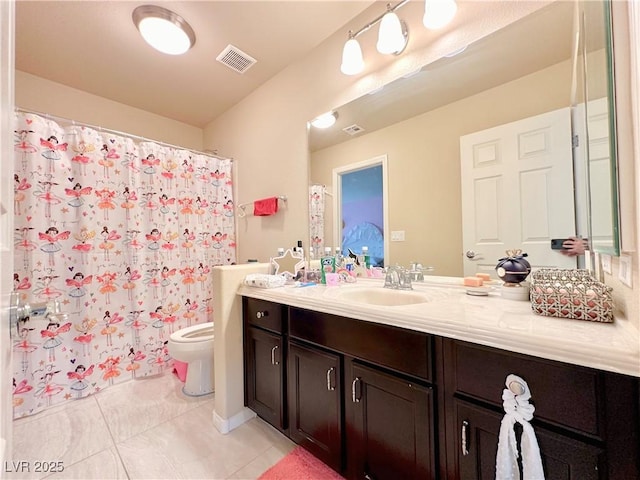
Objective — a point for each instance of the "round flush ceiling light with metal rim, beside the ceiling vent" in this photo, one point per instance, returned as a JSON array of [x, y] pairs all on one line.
[[163, 29]]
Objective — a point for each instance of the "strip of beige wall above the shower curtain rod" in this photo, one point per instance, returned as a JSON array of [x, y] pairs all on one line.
[[40, 95]]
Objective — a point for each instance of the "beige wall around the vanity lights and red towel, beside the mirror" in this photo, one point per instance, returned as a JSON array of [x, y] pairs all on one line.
[[266, 133]]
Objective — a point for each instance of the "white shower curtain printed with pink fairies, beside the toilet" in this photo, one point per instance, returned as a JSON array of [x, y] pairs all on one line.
[[123, 235]]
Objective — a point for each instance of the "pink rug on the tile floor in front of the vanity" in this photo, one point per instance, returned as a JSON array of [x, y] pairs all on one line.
[[300, 465]]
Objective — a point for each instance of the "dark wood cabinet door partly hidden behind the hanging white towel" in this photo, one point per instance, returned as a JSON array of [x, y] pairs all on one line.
[[563, 458]]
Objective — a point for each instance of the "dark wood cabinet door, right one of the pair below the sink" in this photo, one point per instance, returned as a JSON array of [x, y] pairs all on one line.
[[389, 426]]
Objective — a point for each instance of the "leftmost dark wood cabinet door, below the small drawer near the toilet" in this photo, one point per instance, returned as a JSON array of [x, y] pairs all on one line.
[[264, 375]]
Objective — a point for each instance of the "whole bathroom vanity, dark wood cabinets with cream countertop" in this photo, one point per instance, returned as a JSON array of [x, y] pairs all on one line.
[[413, 390]]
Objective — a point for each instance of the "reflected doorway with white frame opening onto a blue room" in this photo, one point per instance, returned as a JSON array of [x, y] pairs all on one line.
[[360, 203]]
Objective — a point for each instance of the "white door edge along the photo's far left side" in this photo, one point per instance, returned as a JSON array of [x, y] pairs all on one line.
[[6, 222]]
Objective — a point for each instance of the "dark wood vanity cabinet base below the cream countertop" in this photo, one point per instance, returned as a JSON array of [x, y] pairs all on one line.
[[375, 401]]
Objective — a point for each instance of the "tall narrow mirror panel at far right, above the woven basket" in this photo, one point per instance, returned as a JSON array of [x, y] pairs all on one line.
[[595, 124]]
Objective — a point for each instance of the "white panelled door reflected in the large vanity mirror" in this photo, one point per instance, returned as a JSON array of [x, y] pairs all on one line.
[[517, 191]]
